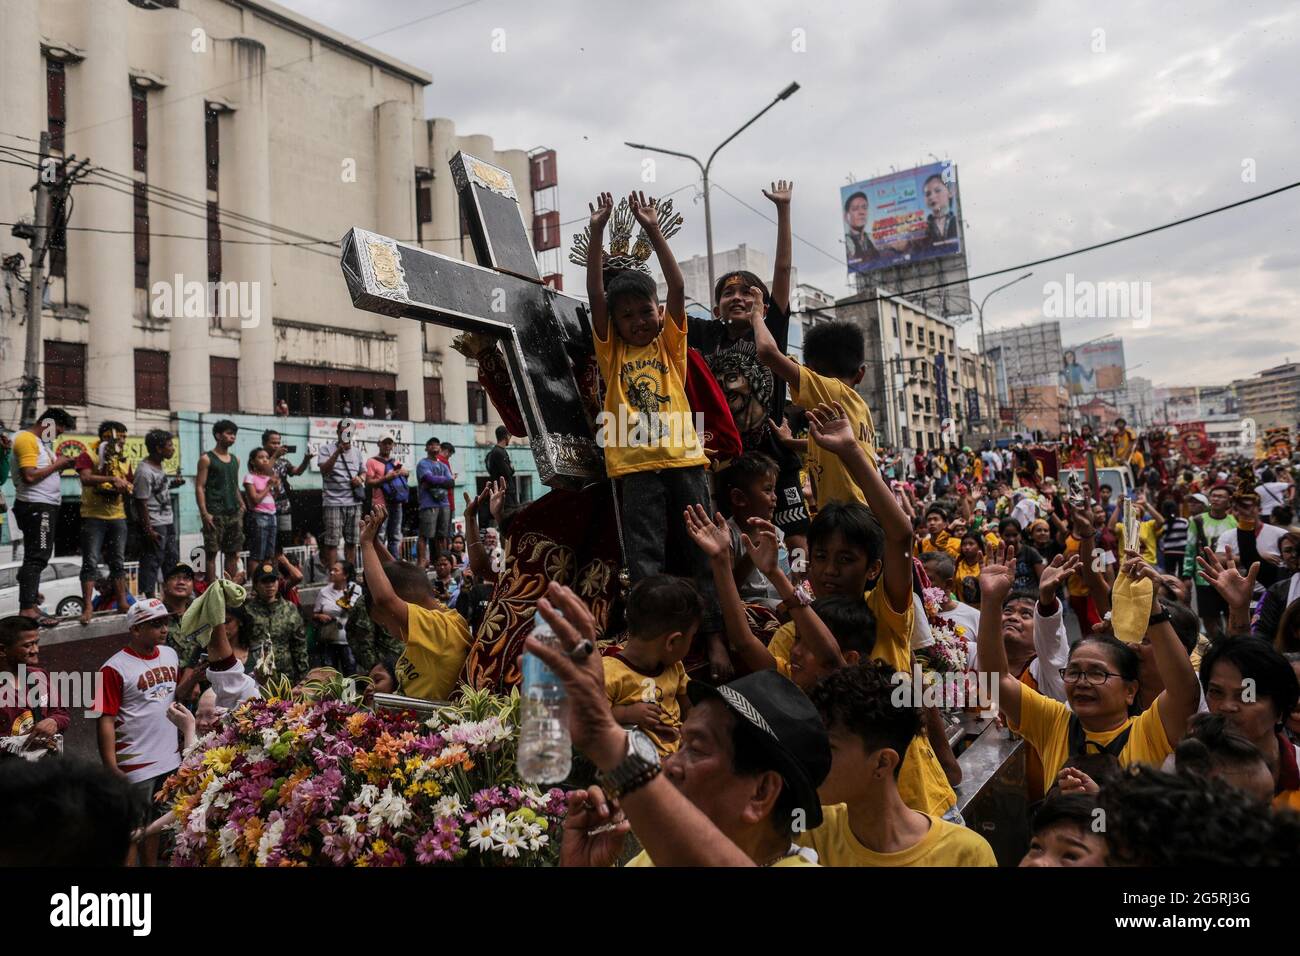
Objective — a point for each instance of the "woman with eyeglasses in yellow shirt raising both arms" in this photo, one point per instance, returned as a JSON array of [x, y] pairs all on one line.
[[1102, 685]]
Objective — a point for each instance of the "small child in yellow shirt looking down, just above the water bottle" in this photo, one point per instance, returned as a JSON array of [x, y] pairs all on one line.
[[645, 681]]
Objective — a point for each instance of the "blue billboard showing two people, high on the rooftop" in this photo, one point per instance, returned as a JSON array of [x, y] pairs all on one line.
[[903, 218]]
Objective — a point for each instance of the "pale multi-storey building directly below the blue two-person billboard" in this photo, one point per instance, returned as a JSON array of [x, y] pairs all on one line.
[[913, 380]]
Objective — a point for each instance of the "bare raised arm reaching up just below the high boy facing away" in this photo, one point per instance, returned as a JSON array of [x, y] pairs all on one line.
[[830, 427]]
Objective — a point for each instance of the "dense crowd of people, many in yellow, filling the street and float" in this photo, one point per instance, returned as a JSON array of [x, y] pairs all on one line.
[[755, 698]]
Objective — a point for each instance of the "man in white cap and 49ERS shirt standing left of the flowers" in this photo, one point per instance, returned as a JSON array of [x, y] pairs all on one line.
[[138, 684]]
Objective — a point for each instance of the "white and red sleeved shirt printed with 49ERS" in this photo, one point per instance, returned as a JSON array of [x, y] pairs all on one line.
[[137, 694]]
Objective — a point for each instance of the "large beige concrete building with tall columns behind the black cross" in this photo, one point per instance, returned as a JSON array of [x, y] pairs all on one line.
[[235, 142]]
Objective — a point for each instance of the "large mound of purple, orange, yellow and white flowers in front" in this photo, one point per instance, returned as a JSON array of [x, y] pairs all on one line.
[[311, 778]]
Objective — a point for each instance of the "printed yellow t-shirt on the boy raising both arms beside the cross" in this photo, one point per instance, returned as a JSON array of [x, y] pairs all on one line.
[[656, 429]]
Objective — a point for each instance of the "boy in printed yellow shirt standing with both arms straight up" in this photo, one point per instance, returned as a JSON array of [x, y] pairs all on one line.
[[647, 430]]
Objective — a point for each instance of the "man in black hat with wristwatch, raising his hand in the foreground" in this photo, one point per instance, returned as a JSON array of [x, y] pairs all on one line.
[[753, 754]]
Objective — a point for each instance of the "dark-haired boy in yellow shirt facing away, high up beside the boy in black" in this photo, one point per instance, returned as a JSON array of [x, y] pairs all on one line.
[[835, 365]]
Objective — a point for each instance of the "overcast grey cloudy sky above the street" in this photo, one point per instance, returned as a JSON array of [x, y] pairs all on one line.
[[1071, 123]]
